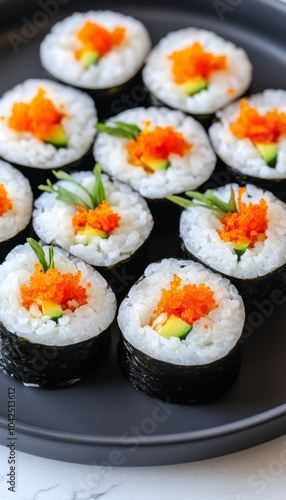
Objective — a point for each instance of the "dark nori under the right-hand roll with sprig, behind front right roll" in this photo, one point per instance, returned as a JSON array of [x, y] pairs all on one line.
[[250, 289]]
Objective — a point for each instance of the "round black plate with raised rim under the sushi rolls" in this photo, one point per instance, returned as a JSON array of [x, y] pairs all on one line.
[[103, 420]]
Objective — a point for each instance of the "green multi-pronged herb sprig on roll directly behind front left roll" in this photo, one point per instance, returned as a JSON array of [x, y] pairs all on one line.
[[96, 195]]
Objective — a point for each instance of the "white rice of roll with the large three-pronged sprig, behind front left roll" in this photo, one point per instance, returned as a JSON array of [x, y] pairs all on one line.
[[52, 221]]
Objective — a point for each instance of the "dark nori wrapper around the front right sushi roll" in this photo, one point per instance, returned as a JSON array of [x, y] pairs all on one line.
[[179, 383]]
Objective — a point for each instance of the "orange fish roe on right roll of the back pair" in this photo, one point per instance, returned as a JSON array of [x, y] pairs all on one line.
[[194, 61]]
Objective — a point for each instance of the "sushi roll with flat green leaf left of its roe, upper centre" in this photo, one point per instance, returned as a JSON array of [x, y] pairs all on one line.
[[157, 151]]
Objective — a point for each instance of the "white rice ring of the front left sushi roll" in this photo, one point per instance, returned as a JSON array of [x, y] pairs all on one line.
[[85, 322]]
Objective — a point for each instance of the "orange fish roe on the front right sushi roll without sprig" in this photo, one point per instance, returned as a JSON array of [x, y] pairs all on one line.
[[190, 303]]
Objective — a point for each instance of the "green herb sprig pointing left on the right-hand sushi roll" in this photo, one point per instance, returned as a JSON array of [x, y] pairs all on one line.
[[208, 200]]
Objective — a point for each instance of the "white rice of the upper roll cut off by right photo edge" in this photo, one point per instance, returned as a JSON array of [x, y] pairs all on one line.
[[241, 154]]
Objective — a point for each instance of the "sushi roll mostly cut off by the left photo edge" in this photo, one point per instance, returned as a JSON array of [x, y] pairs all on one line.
[[16, 203]]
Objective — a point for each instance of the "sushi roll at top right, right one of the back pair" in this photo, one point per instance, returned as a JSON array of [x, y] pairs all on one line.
[[196, 71]]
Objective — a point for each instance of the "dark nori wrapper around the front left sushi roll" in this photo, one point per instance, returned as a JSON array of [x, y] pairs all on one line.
[[49, 366]]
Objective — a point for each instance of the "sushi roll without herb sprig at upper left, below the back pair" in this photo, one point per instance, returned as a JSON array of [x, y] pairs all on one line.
[[45, 125]]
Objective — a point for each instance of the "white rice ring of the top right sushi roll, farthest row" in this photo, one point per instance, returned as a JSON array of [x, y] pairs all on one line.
[[158, 75]]
